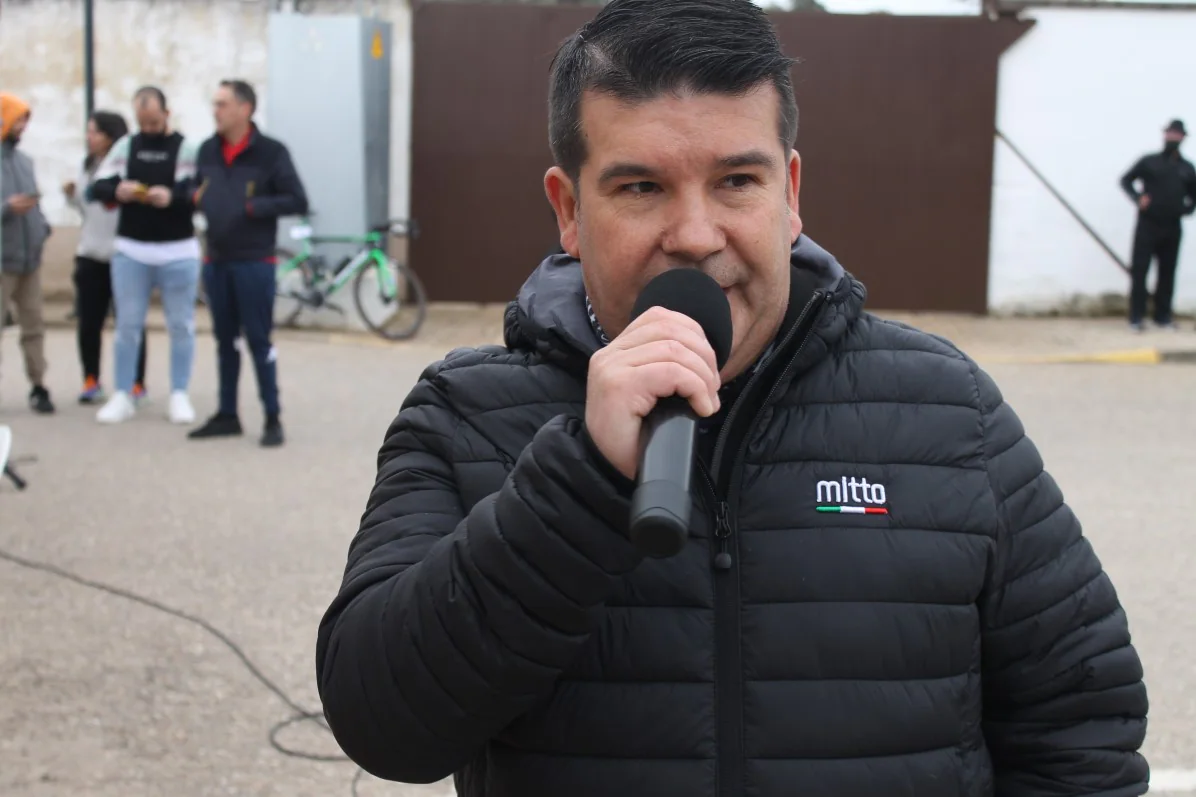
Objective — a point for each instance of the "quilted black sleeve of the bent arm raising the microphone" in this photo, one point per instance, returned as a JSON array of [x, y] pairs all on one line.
[[449, 625]]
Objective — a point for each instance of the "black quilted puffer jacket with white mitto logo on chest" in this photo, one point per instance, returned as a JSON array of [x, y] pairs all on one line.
[[496, 623]]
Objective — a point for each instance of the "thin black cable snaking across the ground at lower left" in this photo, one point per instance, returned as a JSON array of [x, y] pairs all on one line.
[[301, 714]]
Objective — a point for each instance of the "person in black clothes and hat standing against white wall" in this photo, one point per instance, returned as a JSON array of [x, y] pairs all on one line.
[[1169, 193]]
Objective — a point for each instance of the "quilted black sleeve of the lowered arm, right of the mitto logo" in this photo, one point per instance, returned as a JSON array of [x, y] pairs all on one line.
[[1065, 705]]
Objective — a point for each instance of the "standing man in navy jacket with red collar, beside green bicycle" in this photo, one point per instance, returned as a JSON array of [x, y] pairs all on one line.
[[245, 182]]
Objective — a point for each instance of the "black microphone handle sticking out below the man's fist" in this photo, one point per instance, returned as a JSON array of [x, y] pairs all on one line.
[[661, 507]]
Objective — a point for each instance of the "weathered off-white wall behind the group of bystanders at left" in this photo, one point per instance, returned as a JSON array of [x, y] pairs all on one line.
[[185, 47]]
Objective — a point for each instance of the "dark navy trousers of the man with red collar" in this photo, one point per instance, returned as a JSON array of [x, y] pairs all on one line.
[[241, 296]]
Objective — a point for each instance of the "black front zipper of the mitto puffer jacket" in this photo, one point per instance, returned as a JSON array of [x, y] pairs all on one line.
[[728, 654]]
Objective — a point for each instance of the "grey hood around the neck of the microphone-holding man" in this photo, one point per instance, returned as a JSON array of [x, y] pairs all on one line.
[[551, 314]]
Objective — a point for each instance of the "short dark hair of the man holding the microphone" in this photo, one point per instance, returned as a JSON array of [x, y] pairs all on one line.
[[640, 50]]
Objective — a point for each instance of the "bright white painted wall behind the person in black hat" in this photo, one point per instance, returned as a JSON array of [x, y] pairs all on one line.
[[1083, 96]]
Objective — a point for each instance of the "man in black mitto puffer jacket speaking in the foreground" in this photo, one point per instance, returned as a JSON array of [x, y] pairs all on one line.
[[496, 623]]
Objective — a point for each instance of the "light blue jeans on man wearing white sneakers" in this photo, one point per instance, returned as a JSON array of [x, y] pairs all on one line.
[[132, 285]]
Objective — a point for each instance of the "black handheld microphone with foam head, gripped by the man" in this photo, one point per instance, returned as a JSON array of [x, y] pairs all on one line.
[[661, 507]]
